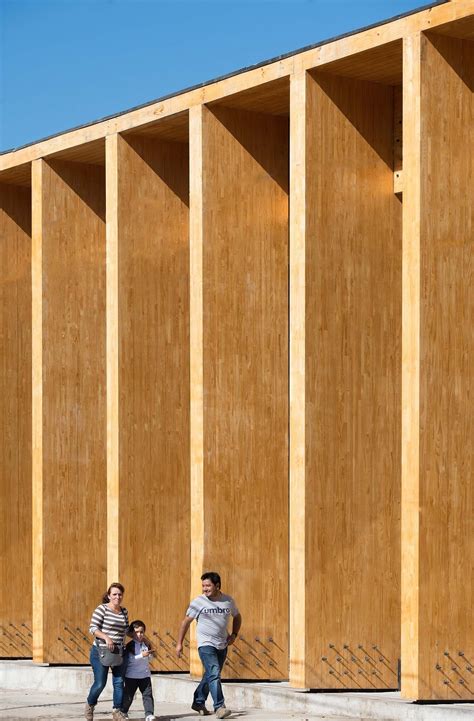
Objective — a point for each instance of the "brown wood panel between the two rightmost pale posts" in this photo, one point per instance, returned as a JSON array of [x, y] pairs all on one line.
[[353, 394]]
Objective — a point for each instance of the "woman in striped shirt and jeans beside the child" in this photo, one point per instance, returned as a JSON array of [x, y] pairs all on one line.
[[109, 624]]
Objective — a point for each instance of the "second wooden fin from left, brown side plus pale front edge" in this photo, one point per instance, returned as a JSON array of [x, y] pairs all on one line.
[[69, 406]]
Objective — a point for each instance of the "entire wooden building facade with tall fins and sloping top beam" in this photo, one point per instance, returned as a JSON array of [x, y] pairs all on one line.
[[236, 333]]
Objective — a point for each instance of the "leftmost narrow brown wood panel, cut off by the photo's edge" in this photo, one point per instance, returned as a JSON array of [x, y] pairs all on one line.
[[15, 421]]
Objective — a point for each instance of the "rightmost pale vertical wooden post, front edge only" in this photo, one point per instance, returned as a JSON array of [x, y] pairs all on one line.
[[410, 369]]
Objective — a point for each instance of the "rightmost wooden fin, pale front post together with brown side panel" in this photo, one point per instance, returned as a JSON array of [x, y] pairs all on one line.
[[438, 493]]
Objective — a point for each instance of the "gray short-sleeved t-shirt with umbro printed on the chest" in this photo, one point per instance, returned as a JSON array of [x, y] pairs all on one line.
[[212, 619]]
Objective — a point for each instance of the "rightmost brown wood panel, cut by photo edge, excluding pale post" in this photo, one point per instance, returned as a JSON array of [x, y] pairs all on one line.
[[446, 530]]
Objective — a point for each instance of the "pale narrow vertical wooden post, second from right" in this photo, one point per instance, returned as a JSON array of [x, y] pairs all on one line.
[[297, 319]]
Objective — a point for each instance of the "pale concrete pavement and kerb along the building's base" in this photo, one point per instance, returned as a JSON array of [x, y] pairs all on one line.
[[69, 685]]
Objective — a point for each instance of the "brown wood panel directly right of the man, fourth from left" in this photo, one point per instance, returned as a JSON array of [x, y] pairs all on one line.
[[245, 342]]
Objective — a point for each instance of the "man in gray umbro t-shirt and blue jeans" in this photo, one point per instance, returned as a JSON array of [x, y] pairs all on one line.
[[212, 612]]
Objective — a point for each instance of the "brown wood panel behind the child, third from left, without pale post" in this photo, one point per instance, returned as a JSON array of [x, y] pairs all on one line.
[[153, 301]]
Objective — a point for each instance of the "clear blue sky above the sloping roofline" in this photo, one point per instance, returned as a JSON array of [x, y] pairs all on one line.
[[64, 63]]
